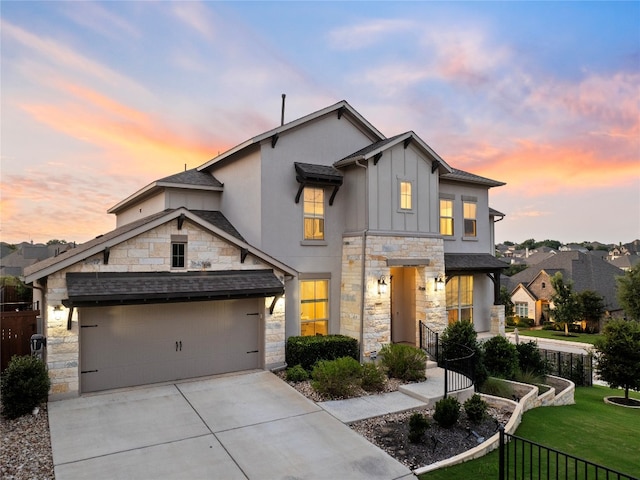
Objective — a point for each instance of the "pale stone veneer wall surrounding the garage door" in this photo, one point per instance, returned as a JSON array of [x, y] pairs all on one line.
[[148, 252]]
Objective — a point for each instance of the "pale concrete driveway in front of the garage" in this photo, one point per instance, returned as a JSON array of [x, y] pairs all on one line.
[[249, 425]]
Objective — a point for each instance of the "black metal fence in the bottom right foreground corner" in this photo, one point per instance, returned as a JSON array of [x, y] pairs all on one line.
[[521, 459]]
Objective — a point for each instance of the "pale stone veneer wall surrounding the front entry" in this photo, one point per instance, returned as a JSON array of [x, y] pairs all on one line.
[[376, 322]]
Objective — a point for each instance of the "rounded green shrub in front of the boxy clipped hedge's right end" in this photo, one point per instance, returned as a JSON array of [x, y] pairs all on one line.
[[339, 378]]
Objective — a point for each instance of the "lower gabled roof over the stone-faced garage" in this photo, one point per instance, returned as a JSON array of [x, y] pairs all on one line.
[[222, 228]]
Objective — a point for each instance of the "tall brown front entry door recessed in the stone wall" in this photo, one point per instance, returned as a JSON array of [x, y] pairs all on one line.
[[403, 305]]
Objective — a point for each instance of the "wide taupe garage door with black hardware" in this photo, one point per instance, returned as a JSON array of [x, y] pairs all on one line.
[[130, 345]]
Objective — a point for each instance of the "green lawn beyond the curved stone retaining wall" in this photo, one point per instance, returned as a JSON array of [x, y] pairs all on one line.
[[605, 434]]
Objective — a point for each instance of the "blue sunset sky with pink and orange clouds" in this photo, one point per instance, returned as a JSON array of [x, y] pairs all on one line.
[[100, 99]]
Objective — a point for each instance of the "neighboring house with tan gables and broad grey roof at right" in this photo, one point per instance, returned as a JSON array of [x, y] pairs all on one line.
[[531, 289]]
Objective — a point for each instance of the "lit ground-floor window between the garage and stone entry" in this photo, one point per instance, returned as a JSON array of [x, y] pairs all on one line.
[[314, 307]]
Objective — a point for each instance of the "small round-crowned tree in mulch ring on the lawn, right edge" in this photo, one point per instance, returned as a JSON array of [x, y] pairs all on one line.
[[618, 355]]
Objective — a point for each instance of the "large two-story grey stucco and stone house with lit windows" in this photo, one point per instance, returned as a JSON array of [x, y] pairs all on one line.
[[319, 226]]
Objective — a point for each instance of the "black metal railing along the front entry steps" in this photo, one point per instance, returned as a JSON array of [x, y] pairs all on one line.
[[458, 361]]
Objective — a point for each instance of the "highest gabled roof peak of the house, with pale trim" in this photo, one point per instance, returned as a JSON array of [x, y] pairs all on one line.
[[342, 108]]
